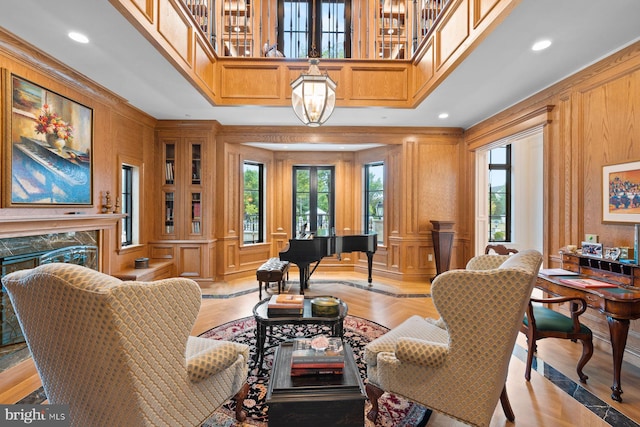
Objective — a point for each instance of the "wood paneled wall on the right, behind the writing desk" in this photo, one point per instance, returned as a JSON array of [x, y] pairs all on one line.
[[590, 120]]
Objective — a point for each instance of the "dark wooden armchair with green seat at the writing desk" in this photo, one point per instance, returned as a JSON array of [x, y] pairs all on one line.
[[543, 322]]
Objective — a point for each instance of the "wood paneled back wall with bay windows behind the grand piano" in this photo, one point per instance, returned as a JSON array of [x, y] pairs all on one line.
[[415, 194]]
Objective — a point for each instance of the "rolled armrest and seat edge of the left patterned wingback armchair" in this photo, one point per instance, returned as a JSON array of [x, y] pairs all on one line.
[[207, 357]]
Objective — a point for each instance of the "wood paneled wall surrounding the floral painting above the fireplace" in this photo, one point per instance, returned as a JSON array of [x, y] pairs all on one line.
[[119, 132]]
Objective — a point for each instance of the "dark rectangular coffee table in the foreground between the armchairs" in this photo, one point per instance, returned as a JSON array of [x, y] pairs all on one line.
[[316, 400]]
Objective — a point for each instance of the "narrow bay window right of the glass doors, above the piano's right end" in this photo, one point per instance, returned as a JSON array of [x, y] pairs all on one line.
[[374, 199]]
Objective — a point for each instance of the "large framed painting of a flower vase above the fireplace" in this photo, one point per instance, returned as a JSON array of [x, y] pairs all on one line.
[[47, 147]]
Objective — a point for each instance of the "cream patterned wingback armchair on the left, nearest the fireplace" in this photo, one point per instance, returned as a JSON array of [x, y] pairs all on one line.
[[119, 353]]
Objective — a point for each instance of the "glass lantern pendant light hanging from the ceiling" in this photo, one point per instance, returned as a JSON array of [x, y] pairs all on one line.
[[313, 95]]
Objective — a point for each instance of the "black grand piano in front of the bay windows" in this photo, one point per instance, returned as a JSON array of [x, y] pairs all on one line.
[[303, 252]]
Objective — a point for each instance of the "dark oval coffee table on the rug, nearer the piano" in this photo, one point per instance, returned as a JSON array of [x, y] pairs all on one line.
[[263, 320]]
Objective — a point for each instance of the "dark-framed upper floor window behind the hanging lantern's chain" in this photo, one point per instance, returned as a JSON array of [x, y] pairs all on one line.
[[332, 28]]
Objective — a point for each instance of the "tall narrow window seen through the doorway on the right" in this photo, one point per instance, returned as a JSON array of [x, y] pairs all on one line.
[[500, 194]]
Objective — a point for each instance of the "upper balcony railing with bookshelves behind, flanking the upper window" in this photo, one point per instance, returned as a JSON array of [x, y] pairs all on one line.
[[238, 28]]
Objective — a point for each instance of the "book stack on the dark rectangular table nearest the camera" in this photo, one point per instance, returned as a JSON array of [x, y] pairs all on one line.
[[320, 355]]
